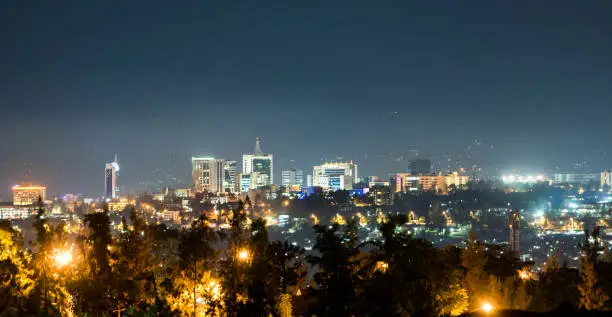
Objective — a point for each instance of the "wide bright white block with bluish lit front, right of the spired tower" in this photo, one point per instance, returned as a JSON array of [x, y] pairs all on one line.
[[335, 176]]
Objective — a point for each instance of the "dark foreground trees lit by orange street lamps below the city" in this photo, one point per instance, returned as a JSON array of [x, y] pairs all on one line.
[[150, 270]]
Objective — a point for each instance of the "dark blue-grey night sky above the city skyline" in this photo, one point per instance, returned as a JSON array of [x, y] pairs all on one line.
[[500, 84]]
